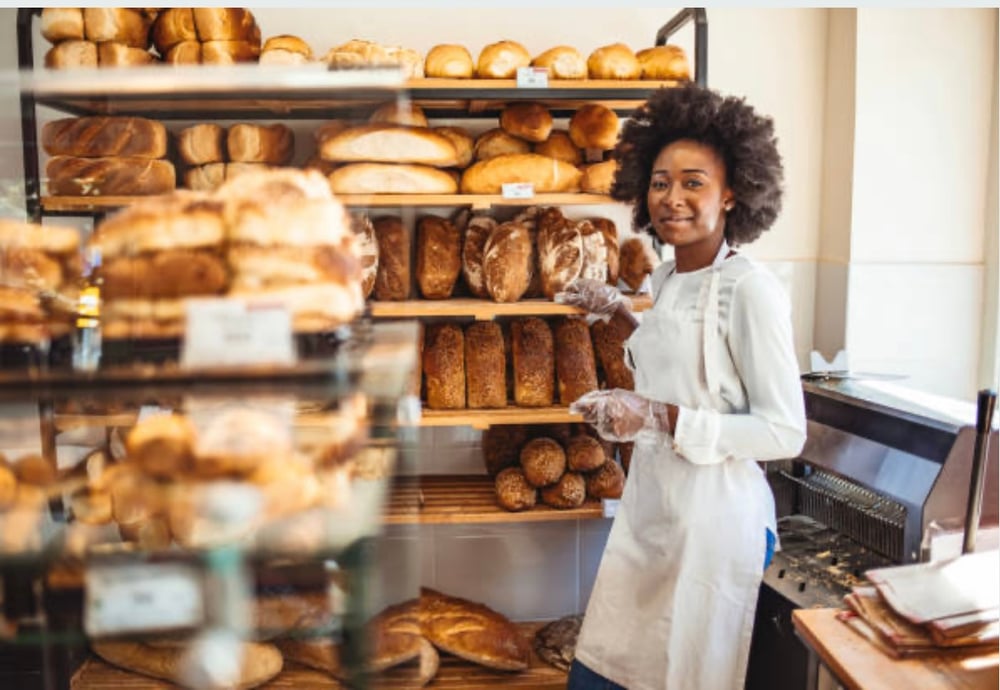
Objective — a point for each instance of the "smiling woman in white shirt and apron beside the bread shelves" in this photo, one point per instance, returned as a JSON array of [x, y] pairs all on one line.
[[716, 389]]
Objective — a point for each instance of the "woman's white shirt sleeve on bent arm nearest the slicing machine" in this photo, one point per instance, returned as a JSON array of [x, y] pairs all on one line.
[[763, 352]]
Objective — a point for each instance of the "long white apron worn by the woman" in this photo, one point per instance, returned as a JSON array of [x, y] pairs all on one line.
[[673, 603]]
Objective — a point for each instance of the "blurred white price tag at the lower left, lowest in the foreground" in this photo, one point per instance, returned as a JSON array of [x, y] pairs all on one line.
[[136, 597]]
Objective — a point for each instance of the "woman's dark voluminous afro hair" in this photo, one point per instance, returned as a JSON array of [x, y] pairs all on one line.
[[744, 140]]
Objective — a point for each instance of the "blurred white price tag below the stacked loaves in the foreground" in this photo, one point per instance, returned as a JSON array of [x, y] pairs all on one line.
[[229, 332]]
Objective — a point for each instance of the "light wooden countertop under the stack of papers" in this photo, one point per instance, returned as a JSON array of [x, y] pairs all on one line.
[[860, 666]]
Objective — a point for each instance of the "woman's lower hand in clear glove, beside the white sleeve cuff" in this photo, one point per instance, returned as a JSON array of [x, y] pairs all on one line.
[[621, 415]]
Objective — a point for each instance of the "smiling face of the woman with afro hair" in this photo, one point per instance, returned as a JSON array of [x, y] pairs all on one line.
[[688, 195]]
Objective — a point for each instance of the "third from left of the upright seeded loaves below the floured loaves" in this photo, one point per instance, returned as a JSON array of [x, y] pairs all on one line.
[[533, 359]]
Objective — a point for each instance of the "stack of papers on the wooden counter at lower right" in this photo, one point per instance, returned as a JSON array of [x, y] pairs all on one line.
[[947, 607]]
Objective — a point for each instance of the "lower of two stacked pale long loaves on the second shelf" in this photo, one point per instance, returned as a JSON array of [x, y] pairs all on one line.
[[387, 178]]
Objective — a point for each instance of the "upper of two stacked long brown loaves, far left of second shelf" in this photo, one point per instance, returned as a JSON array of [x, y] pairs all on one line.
[[97, 136]]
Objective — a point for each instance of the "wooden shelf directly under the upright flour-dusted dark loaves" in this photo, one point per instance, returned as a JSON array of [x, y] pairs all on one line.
[[482, 309]]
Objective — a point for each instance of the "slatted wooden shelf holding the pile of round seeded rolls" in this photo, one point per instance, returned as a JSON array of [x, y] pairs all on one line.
[[466, 499]]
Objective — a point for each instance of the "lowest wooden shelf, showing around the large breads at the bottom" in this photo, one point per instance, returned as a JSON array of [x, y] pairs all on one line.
[[453, 674]]
